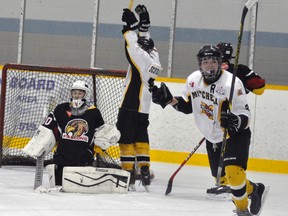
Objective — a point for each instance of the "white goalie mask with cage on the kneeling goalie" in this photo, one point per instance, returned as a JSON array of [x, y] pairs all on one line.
[[79, 94]]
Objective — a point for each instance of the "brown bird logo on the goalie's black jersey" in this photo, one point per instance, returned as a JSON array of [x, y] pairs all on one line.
[[76, 130]]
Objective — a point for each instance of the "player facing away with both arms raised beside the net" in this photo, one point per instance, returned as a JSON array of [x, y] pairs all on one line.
[[133, 117]]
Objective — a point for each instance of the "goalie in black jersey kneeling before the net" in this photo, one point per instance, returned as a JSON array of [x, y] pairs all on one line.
[[75, 126]]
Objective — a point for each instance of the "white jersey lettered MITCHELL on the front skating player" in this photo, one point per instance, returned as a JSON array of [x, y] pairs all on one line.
[[207, 102]]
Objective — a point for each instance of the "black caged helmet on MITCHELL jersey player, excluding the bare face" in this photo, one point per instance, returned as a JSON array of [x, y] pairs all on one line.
[[210, 52]]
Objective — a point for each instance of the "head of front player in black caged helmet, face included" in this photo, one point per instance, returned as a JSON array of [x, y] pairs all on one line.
[[209, 61]]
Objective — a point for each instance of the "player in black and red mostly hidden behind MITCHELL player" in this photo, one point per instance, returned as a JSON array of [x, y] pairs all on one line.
[[252, 83]]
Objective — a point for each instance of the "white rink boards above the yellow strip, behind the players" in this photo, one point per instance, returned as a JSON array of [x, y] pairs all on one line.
[[175, 131]]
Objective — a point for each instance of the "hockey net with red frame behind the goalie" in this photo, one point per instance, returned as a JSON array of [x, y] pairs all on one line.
[[30, 92]]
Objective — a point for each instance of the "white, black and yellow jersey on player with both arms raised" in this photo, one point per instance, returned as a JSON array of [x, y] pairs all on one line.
[[142, 71]]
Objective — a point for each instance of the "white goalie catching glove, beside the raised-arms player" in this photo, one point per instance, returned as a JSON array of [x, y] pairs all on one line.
[[106, 136]]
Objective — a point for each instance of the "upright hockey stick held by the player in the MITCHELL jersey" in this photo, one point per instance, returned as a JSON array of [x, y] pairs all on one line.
[[249, 4]]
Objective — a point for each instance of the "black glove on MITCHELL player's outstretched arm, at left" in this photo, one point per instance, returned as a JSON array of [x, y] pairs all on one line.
[[162, 95]]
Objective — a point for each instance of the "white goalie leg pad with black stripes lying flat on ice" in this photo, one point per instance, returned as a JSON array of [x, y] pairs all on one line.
[[95, 180]]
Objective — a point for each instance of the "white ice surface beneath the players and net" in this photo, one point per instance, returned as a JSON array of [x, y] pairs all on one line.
[[188, 197]]
